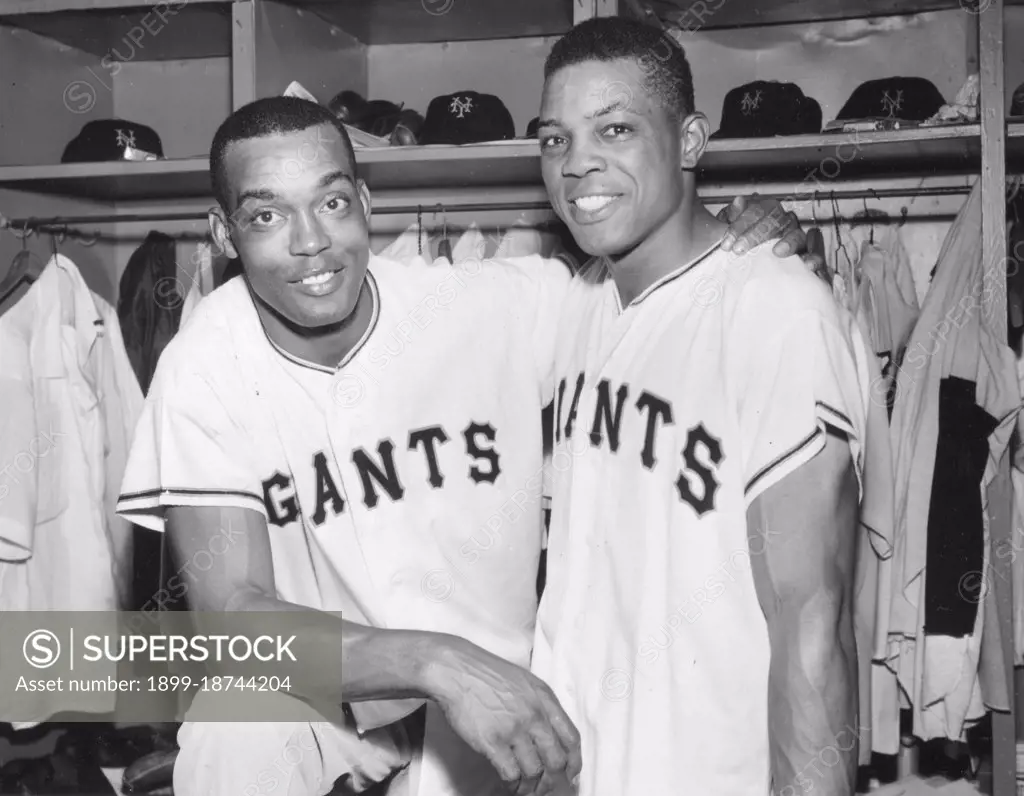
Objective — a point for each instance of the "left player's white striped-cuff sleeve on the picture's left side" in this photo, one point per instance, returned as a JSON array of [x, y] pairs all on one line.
[[188, 451]]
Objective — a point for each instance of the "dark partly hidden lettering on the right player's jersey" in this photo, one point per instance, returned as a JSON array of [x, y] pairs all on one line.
[[696, 482]]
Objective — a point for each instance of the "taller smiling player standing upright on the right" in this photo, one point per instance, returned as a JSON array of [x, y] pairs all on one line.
[[709, 416]]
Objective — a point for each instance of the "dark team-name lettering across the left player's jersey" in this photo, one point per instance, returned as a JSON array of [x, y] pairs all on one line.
[[378, 473]]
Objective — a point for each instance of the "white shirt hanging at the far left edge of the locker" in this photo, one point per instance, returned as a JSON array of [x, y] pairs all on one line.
[[71, 403]]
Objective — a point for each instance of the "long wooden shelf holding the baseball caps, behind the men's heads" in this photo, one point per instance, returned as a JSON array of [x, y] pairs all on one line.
[[817, 161]]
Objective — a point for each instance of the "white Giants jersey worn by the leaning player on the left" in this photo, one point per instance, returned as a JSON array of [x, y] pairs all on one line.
[[403, 487]]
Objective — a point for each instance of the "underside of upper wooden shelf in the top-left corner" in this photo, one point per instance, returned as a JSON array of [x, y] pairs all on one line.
[[129, 31]]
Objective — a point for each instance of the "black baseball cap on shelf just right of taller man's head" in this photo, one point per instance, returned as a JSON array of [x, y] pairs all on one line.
[[767, 108]]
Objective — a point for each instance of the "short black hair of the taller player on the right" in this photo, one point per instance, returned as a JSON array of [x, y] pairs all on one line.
[[667, 73]]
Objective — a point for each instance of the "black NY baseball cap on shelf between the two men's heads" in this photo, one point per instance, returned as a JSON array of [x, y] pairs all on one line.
[[466, 117]]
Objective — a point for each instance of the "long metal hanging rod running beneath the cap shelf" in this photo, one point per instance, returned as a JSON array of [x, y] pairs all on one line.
[[60, 224]]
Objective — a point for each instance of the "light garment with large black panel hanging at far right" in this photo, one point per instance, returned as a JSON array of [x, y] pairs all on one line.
[[957, 400]]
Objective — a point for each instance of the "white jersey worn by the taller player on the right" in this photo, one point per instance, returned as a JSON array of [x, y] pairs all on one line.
[[672, 415]]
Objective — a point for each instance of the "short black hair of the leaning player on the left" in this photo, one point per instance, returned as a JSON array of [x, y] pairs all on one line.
[[271, 116]]
